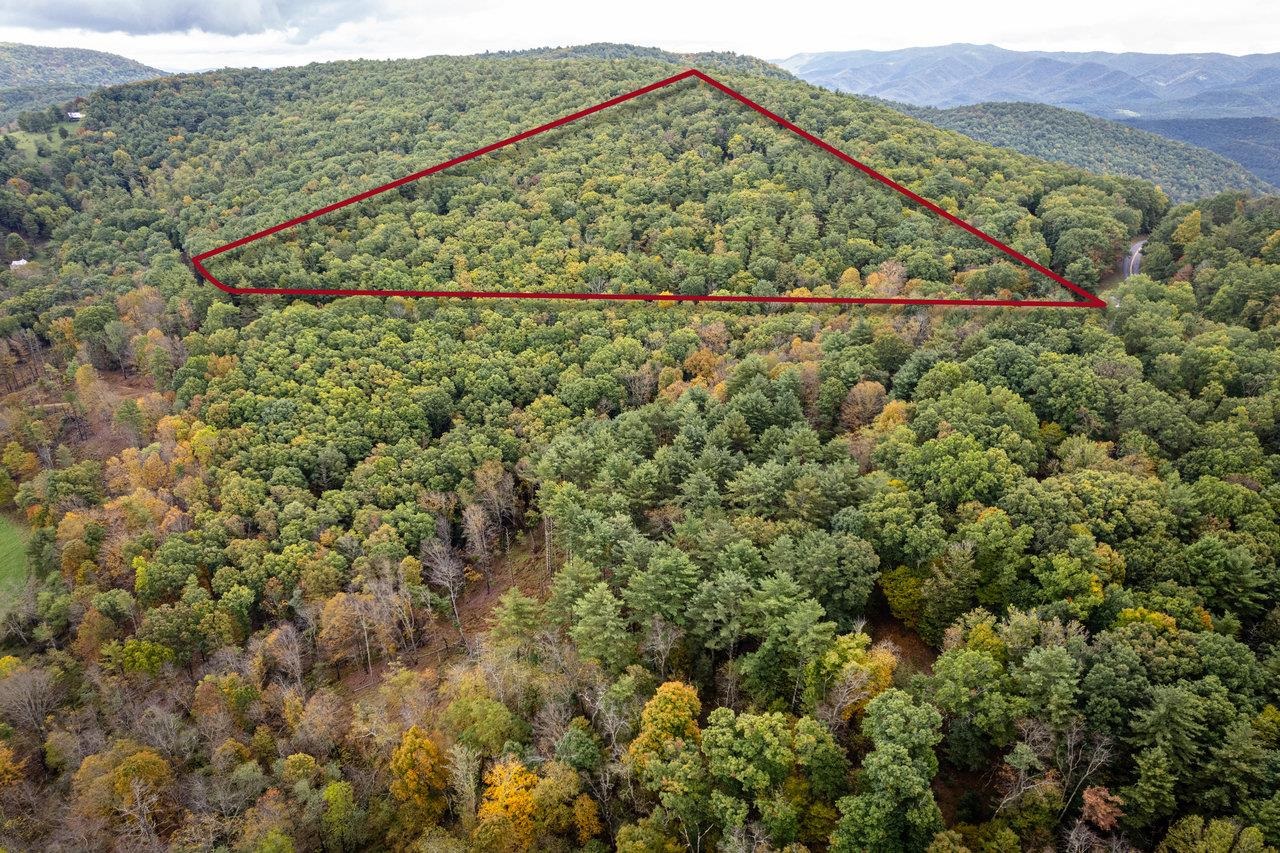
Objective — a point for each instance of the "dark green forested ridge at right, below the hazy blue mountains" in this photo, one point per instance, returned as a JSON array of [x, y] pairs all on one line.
[[1185, 172]]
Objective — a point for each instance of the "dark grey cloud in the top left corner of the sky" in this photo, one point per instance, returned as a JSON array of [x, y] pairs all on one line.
[[221, 17]]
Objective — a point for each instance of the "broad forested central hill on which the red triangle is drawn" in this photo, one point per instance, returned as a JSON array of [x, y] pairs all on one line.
[[683, 190]]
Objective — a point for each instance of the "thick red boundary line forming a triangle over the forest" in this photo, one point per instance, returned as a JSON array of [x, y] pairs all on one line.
[[1090, 299]]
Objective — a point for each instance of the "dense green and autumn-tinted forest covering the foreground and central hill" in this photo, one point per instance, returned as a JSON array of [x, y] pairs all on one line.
[[392, 574]]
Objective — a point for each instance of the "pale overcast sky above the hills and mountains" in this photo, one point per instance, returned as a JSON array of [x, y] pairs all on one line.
[[189, 35]]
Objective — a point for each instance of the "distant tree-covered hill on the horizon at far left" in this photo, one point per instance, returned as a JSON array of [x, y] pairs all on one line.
[[34, 77]]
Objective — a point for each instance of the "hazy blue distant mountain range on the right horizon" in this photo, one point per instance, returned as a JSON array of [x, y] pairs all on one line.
[[1101, 84]]
